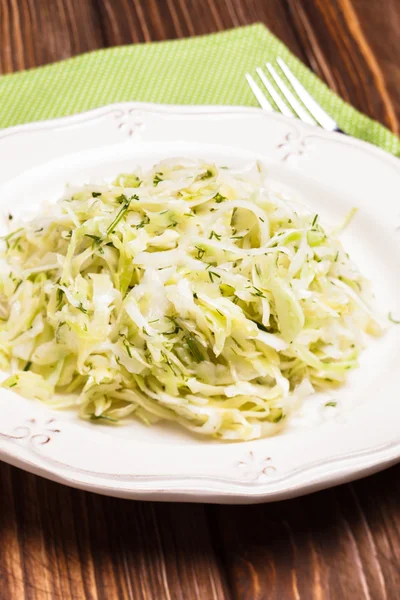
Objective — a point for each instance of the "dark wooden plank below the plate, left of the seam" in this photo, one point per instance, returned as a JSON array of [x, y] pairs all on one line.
[[57, 542]]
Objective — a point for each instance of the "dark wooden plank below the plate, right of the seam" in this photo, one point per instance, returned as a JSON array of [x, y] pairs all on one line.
[[339, 543]]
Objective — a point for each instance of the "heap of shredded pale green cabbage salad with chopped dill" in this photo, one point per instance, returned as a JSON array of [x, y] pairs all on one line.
[[189, 293]]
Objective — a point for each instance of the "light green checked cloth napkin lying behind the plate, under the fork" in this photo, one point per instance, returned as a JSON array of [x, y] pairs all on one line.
[[201, 70]]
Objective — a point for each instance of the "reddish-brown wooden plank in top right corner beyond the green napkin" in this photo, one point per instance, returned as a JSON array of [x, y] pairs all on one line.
[[353, 45]]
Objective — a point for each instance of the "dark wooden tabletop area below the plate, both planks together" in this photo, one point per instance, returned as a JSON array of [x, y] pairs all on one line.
[[63, 543]]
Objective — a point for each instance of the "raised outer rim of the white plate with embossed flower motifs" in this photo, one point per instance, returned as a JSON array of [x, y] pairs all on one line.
[[213, 488]]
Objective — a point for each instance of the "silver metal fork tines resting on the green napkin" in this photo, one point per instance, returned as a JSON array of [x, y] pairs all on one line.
[[312, 114]]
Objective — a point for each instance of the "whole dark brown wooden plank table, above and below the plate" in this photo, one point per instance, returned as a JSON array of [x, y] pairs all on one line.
[[342, 543]]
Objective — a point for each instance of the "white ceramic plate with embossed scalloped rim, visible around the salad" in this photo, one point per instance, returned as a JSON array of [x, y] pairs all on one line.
[[323, 446]]
